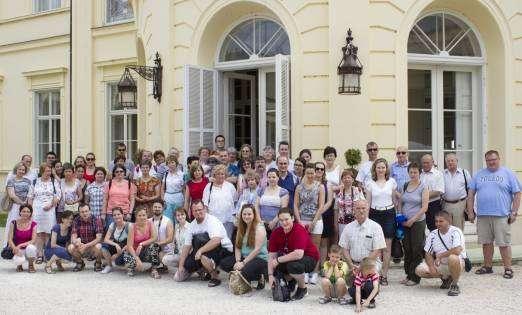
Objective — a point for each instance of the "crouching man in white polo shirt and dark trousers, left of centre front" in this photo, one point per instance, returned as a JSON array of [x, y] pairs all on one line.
[[197, 253]]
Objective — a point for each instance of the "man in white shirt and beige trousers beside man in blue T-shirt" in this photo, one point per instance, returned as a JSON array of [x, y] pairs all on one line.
[[456, 182]]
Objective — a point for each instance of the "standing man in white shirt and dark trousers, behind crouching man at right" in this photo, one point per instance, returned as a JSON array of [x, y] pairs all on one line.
[[434, 179]]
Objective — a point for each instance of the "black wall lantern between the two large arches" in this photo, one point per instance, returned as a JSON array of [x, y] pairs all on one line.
[[349, 69]]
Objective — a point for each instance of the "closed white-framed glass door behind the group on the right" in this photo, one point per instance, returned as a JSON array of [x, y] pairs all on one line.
[[442, 114]]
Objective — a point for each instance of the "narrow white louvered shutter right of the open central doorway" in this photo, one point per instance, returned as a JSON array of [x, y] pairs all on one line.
[[282, 98]]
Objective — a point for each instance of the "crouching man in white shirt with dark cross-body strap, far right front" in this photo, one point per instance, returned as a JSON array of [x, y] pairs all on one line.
[[445, 253]]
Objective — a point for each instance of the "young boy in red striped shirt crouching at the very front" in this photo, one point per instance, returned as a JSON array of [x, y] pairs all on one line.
[[366, 285]]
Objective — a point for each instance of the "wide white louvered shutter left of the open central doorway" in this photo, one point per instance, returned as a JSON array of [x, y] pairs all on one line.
[[200, 107]]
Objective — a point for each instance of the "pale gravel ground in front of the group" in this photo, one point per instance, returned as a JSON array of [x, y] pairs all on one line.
[[115, 293]]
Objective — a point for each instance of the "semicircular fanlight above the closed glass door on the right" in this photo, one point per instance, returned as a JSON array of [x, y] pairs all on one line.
[[444, 35]]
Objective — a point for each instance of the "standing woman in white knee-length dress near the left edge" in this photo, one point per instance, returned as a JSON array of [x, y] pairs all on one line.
[[45, 199]]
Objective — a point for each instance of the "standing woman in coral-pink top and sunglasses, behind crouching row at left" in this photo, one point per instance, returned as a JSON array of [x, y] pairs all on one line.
[[118, 193]]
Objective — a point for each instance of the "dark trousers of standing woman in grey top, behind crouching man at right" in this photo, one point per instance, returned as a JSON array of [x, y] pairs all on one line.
[[413, 245]]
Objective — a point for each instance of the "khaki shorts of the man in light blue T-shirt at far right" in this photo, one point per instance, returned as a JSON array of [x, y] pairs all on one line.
[[493, 229]]
